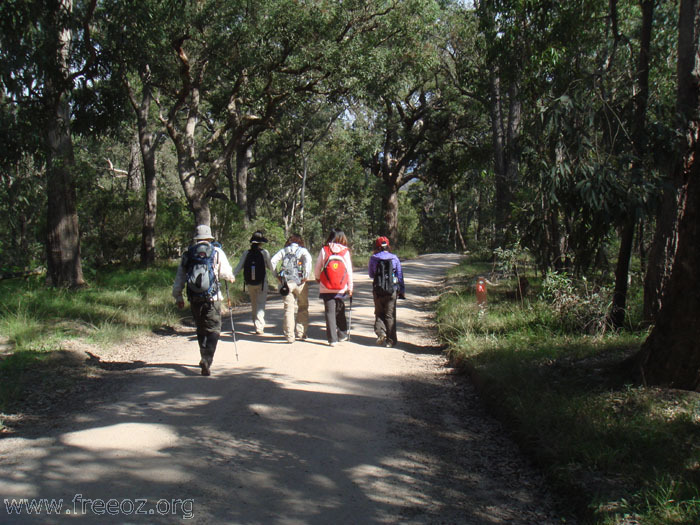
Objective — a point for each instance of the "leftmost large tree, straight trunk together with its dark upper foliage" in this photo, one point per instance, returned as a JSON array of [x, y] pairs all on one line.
[[45, 49]]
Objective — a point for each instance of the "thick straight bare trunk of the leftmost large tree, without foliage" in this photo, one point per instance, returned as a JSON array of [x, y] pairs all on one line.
[[63, 235]]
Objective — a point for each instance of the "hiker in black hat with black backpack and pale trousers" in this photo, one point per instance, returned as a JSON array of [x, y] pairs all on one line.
[[254, 262]]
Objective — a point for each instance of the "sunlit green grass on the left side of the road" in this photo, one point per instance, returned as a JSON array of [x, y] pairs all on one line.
[[36, 321]]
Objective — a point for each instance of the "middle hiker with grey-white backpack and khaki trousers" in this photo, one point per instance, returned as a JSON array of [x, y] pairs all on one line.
[[294, 273]]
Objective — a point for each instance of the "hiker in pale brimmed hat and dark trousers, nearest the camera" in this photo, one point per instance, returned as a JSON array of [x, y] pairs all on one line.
[[201, 268]]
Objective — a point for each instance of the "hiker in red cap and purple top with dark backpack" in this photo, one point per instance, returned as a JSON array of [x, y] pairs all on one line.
[[385, 305]]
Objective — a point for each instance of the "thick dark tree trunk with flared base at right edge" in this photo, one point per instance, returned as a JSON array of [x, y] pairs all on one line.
[[671, 354]]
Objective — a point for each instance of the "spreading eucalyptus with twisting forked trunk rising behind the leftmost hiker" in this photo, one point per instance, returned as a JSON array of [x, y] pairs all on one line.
[[235, 67]]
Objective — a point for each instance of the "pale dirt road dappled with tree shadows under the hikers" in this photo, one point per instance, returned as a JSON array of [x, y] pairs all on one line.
[[286, 434]]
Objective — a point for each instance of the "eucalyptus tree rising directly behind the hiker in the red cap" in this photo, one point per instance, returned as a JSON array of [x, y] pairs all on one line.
[[402, 95]]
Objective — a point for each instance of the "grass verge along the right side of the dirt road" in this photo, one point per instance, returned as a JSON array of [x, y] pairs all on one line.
[[613, 449]]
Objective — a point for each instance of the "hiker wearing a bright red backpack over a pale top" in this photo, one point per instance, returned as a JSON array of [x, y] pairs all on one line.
[[333, 270]]
